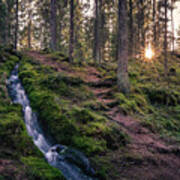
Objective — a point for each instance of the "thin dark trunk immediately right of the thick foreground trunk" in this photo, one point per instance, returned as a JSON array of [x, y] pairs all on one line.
[[131, 34]]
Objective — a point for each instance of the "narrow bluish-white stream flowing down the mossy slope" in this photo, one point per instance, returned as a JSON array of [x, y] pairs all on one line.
[[72, 163]]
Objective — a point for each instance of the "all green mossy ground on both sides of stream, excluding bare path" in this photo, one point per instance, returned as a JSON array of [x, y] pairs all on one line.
[[69, 111]]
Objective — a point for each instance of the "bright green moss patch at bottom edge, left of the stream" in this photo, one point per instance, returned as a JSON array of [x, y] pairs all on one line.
[[37, 168]]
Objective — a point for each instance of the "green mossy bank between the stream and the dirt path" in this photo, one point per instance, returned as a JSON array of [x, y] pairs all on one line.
[[65, 110]]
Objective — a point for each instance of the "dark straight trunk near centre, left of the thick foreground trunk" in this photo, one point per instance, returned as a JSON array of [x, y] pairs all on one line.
[[96, 51]]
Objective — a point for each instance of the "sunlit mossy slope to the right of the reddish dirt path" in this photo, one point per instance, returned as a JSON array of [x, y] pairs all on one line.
[[153, 98]]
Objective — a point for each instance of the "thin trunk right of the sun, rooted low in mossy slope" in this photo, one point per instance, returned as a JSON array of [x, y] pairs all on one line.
[[165, 40]]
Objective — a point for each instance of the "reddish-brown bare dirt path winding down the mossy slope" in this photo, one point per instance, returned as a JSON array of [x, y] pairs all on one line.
[[148, 156]]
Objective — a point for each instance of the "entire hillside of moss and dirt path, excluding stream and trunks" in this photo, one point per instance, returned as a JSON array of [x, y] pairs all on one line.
[[125, 137]]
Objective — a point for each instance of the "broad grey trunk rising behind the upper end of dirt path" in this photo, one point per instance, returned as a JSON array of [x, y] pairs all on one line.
[[53, 26]]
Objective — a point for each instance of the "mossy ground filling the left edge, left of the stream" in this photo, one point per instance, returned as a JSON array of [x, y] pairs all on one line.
[[17, 147]]
